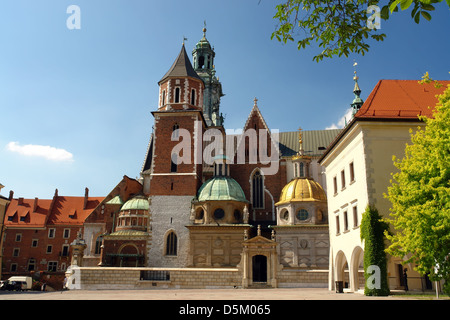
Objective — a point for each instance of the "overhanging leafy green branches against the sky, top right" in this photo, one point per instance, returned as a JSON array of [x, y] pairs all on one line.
[[341, 27]]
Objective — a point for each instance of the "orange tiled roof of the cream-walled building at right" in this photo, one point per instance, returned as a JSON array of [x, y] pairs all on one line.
[[400, 99]]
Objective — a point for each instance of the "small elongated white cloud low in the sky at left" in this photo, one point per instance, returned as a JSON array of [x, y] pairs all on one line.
[[47, 152]]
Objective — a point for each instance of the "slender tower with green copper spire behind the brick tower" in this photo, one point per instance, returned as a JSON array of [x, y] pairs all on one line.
[[203, 56]]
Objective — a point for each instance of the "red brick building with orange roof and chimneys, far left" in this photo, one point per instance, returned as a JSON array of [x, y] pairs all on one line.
[[38, 234]]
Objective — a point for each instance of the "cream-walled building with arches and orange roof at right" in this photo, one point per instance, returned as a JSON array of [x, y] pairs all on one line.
[[358, 166]]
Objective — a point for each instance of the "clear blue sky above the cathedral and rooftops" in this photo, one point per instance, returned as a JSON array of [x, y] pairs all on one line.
[[86, 95]]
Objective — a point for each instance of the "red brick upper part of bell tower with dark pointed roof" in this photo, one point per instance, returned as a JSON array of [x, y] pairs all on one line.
[[178, 121]]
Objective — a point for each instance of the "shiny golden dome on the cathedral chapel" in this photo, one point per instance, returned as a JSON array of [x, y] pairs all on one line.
[[302, 189]]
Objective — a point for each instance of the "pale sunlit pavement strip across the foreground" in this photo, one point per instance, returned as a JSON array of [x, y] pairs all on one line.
[[194, 294]]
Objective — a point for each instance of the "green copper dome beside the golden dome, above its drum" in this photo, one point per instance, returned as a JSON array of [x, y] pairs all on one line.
[[221, 188]]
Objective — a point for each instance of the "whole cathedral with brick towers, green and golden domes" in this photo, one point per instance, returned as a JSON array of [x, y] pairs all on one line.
[[253, 201]]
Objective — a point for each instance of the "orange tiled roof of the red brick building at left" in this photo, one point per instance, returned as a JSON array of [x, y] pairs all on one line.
[[27, 213]]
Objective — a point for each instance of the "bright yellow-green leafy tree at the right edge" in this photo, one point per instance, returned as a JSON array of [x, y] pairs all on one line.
[[420, 196]]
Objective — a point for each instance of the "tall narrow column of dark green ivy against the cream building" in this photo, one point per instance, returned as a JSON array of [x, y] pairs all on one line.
[[372, 232]]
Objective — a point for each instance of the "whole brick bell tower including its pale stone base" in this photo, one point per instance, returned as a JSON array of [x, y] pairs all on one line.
[[172, 170]]
